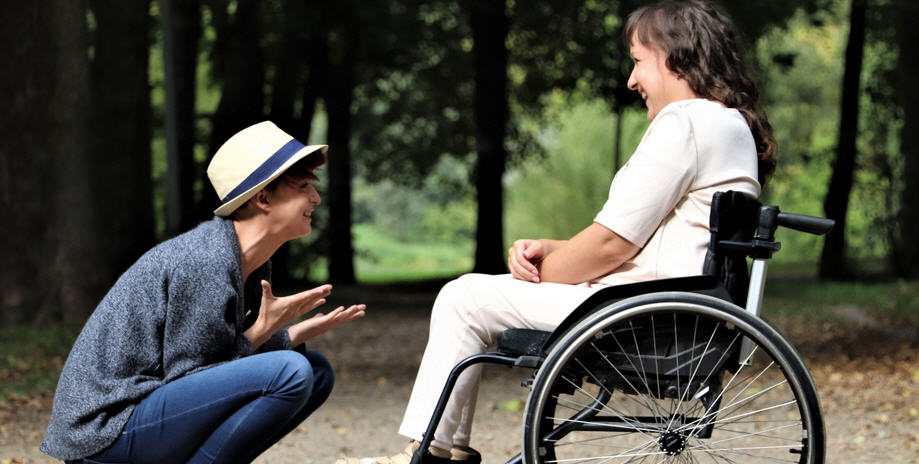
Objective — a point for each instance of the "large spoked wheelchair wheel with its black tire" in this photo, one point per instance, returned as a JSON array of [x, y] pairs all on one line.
[[669, 377]]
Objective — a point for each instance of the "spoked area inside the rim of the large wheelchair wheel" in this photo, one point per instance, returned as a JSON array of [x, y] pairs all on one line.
[[749, 414]]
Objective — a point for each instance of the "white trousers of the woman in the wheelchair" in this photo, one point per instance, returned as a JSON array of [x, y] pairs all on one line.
[[468, 316]]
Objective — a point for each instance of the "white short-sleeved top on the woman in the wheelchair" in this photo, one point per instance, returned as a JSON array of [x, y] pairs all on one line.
[[660, 200]]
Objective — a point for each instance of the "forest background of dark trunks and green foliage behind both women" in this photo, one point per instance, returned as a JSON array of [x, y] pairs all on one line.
[[455, 127]]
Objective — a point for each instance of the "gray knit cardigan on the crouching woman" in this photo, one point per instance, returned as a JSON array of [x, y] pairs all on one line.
[[179, 309]]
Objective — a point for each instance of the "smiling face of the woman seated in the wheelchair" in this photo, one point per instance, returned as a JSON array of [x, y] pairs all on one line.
[[650, 77]]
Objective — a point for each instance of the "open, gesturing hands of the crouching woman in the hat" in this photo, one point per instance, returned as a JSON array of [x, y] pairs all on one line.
[[277, 312]]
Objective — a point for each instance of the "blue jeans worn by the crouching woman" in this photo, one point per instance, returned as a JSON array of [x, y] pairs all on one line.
[[229, 413]]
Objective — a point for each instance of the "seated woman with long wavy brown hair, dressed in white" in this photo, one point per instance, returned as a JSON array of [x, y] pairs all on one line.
[[706, 134]]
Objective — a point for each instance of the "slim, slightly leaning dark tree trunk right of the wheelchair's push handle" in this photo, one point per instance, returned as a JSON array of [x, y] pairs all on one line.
[[836, 203]]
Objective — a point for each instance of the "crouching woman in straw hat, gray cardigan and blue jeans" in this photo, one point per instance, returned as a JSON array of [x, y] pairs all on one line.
[[190, 357]]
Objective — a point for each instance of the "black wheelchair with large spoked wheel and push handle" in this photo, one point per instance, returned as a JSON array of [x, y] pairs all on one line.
[[673, 370]]
